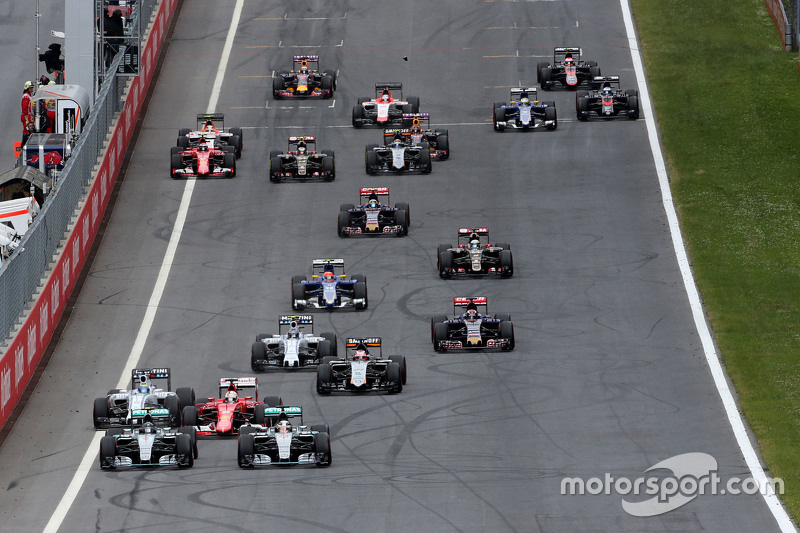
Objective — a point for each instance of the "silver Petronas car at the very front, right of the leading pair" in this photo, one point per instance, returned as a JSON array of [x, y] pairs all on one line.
[[283, 443]]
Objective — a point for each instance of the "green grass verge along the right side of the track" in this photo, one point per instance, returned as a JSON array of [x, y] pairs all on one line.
[[726, 97]]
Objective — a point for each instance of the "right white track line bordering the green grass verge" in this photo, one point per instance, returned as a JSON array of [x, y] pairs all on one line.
[[717, 372]]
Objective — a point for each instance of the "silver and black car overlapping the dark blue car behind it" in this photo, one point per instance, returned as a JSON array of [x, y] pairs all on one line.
[[397, 155]]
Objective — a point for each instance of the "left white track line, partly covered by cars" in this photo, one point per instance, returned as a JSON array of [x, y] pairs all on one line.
[[88, 460]]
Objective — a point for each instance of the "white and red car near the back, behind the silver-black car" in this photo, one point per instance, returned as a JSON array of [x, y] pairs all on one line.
[[386, 109]]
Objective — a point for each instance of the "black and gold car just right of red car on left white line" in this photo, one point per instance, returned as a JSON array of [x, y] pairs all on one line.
[[302, 161]]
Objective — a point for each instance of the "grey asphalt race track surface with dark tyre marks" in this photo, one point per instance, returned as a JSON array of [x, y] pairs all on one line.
[[607, 377]]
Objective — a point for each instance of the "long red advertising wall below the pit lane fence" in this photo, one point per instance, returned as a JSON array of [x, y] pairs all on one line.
[[19, 360]]
